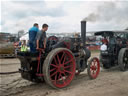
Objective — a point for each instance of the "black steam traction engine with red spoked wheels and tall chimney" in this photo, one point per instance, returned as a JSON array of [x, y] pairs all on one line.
[[62, 60]]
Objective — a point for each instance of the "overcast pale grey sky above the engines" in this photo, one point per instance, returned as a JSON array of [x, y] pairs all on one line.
[[63, 16]]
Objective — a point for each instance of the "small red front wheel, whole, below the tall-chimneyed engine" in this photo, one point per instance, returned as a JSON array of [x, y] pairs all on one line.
[[93, 68]]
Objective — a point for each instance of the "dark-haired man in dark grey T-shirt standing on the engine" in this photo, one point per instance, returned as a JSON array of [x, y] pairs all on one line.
[[41, 38]]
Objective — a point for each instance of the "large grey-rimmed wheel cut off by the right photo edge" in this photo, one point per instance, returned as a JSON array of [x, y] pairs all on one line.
[[123, 59]]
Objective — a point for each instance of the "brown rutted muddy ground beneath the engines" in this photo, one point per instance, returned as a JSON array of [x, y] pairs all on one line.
[[110, 82]]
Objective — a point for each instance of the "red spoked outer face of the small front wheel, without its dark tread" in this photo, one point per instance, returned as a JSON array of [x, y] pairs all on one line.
[[94, 67]]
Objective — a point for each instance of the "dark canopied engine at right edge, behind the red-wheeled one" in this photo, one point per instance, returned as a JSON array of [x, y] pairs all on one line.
[[117, 49]]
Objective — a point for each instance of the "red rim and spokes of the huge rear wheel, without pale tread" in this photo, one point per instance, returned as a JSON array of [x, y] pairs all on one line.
[[62, 68]]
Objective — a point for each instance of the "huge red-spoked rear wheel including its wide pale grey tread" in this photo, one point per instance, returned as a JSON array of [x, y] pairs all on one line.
[[59, 68]]
